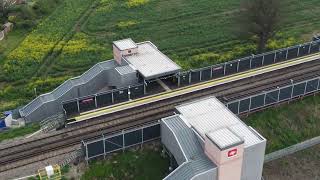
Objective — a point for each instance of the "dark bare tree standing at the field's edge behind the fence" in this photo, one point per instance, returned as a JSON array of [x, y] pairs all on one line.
[[261, 19]]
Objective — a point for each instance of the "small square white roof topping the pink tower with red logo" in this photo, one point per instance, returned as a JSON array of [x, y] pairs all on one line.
[[224, 138]]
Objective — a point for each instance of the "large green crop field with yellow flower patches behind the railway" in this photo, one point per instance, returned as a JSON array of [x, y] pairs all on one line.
[[192, 33]]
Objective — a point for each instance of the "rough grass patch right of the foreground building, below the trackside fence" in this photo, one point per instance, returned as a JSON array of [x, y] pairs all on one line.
[[288, 124]]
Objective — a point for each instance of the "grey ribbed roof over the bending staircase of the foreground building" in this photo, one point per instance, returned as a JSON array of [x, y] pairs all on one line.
[[196, 161]]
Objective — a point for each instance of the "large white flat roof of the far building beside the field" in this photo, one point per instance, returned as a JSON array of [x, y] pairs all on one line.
[[151, 63]]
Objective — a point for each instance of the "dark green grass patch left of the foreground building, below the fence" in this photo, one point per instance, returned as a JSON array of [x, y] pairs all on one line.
[[141, 164]]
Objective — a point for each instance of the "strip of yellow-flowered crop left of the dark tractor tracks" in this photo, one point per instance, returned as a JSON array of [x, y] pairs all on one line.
[[26, 59]]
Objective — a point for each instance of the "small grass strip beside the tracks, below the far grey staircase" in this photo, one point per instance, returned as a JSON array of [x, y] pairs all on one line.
[[17, 132]]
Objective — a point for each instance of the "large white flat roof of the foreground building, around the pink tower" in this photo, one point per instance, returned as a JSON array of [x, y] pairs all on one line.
[[209, 114]]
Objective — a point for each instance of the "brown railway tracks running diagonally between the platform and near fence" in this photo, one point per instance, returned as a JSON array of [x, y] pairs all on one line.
[[11, 156]]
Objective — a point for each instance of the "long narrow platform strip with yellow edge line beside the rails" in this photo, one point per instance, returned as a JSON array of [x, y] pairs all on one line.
[[198, 86]]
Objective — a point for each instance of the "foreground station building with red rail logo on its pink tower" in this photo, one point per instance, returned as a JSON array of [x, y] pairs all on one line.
[[208, 141]]
